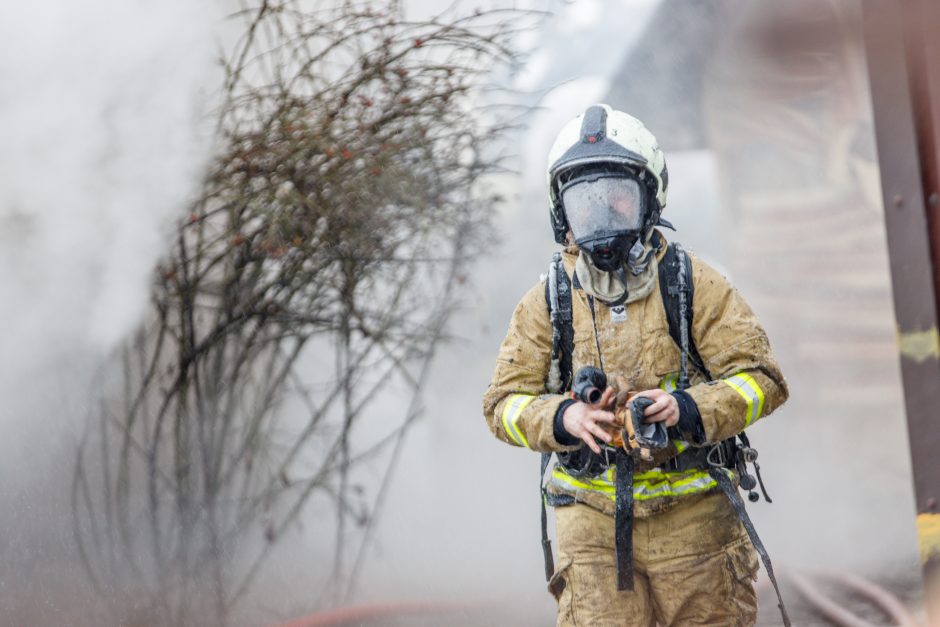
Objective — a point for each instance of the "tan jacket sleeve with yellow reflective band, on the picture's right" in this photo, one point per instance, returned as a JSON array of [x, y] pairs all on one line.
[[747, 382]]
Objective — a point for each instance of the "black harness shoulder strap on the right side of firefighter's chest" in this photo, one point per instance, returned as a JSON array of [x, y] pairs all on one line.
[[677, 290]]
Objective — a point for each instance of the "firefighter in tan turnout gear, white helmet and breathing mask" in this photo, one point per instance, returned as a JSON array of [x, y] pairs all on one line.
[[691, 560]]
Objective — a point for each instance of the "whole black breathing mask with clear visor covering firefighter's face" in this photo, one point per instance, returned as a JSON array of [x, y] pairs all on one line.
[[605, 210]]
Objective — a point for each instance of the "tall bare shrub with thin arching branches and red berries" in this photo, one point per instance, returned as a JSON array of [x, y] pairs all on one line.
[[332, 230]]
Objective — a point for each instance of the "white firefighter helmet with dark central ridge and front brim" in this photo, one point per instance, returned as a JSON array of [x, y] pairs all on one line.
[[604, 139]]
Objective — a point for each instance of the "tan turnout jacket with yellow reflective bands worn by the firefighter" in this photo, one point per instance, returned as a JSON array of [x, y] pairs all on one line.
[[747, 385]]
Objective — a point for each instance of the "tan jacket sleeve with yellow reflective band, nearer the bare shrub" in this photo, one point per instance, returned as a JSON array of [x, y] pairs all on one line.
[[516, 406]]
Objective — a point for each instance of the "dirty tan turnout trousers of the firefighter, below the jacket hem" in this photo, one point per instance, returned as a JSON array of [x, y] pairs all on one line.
[[693, 565]]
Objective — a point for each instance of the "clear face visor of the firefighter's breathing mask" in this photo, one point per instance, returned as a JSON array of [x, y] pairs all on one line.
[[602, 206]]
